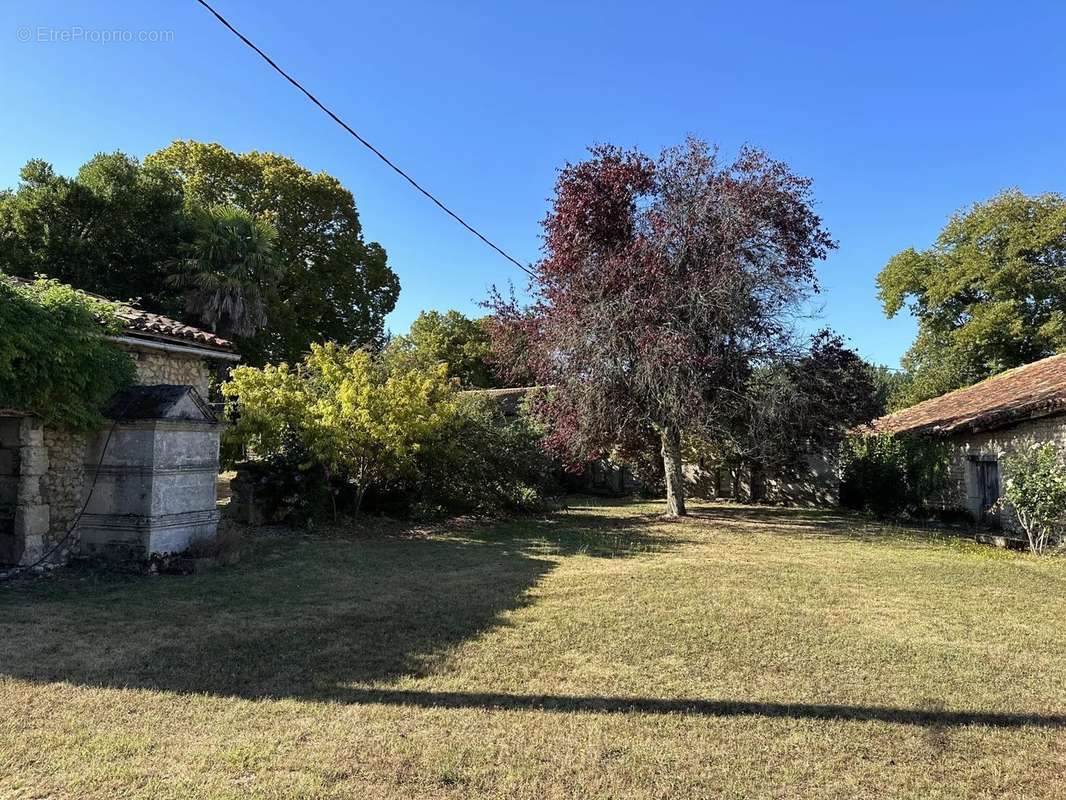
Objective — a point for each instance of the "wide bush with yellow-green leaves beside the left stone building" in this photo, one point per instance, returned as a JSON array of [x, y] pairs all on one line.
[[348, 431]]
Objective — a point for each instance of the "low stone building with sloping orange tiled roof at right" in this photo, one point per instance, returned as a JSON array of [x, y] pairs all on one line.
[[984, 424]]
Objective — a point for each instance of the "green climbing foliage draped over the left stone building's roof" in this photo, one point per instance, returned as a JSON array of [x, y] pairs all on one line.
[[55, 361]]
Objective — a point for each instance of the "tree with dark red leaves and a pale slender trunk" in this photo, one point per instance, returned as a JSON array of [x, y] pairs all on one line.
[[664, 286]]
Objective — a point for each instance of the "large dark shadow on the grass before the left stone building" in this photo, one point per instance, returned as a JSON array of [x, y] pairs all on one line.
[[302, 615]]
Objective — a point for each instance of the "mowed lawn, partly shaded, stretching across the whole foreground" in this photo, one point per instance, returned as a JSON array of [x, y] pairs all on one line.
[[600, 653]]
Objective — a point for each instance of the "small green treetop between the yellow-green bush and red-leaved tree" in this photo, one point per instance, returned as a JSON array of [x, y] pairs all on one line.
[[451, 339]]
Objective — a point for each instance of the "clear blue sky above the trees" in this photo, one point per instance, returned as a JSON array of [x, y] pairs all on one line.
[[901, 115]]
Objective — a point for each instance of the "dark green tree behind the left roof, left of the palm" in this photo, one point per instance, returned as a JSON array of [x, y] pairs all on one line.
[[111, 230]]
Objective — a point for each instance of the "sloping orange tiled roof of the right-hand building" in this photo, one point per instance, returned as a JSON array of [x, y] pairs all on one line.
[[1033, 391]]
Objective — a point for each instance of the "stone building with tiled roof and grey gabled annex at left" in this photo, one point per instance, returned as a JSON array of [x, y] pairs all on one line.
[[147, 484]]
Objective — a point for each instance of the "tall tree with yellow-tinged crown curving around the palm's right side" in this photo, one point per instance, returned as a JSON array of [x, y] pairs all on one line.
[[334, 286]]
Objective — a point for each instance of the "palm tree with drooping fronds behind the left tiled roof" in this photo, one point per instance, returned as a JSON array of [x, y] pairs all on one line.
[[229, 271]]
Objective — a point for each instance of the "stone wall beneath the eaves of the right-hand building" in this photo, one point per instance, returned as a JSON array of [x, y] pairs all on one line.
[[963, 492]]
